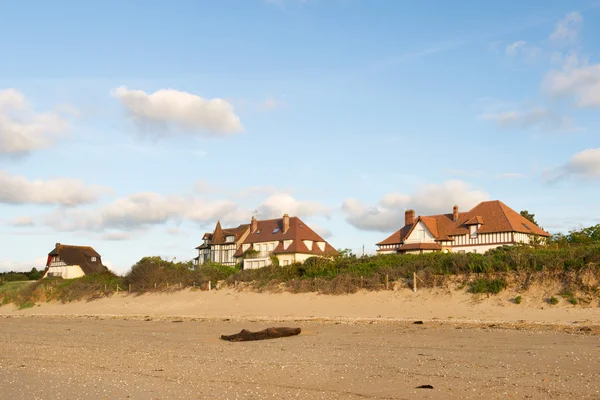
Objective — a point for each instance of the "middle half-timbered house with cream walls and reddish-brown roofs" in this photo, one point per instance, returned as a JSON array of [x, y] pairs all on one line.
[[288, 239]]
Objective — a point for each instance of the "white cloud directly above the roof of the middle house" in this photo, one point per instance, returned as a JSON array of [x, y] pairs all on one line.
[[277, 205]]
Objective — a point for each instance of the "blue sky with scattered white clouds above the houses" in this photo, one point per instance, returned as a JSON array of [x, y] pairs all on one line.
[[133, 126]]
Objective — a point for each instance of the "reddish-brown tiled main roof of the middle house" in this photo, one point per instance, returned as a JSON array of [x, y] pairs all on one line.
[[271, 230]]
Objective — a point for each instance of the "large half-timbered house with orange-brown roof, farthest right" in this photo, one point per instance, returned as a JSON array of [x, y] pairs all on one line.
[[488, 225]]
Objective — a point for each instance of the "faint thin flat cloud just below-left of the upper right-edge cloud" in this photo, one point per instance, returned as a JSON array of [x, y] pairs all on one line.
[[538, 117]]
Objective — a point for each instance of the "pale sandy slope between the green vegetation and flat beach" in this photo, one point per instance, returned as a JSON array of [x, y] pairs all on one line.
[[403, 304]]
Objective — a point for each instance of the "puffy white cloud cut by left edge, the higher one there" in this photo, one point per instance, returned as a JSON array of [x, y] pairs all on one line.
[[22, 130]]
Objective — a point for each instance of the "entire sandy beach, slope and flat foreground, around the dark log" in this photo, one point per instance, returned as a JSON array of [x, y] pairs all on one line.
[[167, 346]]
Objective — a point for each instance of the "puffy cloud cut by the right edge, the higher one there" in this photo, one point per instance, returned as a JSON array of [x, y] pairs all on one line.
[[576, 78]]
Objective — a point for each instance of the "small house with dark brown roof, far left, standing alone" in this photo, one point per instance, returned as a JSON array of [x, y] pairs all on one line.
[[69, 262]]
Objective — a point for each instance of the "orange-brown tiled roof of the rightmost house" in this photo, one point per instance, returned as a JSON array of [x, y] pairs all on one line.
[[494, 217]]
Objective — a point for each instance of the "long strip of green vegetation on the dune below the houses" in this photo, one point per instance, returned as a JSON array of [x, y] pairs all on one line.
[[572, 260]]
